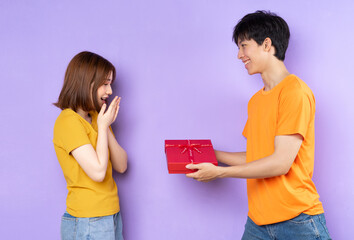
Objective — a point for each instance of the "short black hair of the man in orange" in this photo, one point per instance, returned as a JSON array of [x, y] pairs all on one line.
[[260, 25]]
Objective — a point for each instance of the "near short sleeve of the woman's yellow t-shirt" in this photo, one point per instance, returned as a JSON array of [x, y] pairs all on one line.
[[70, 133]]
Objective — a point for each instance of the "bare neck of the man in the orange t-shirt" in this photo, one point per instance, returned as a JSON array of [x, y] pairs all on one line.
[[274, 74]]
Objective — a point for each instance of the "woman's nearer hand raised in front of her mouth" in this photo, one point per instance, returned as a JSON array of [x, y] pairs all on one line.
[[106, 118]]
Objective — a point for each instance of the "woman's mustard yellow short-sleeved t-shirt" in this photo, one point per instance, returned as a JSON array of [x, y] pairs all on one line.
[[86, 198]]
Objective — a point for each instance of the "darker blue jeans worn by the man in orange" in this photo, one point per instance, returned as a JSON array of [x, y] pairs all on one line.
[[302, 227]]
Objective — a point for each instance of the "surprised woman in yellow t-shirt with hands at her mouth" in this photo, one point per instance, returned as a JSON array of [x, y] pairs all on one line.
[[87, 149]]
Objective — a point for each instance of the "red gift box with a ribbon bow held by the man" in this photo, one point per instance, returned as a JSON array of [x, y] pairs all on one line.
[[180, 153]]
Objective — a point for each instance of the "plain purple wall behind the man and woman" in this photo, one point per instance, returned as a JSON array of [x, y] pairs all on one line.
[[179, 77]]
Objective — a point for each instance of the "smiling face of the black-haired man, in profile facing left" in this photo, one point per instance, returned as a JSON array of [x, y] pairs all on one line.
[[252, 55]]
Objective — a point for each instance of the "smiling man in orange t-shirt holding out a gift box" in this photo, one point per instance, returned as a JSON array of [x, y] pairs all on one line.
[[279, 159]]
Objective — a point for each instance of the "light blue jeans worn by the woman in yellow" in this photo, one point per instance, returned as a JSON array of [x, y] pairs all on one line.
[[106, 227]]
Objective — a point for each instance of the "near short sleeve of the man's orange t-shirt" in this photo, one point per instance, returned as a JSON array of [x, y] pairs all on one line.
[[294, 113]]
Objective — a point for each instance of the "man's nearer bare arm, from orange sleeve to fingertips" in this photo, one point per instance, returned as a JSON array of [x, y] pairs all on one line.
[[286, 148]]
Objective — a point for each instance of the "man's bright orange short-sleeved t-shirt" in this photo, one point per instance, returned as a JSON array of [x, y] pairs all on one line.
[[288, 108]]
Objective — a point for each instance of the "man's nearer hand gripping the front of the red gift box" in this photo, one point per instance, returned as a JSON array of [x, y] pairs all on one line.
[[206, 172]]
